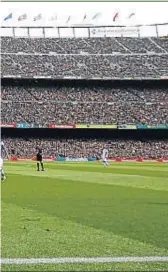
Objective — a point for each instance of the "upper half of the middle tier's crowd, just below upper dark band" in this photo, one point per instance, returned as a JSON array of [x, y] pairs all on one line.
[[83, 94]]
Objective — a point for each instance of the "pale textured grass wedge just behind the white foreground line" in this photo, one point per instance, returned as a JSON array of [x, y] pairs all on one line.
[[72, 239]]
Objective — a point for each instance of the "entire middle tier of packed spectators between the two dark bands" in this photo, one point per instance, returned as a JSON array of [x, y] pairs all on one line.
[[87, 105]]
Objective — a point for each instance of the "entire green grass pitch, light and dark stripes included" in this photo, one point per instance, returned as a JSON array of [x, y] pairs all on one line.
[[85, 210]]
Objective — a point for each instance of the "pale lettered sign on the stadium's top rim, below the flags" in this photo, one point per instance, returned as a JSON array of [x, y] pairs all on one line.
[[114, 32]]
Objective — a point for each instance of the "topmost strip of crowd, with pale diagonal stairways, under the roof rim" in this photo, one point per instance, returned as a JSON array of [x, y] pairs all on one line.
[[105, 45]]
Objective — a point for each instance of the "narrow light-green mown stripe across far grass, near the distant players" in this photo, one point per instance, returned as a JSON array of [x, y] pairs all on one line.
[[134, 181]]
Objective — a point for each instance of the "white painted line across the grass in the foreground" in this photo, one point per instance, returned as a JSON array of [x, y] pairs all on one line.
[[84, 260]]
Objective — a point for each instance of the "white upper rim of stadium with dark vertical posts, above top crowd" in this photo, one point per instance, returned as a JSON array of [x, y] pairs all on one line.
[[85, 31]]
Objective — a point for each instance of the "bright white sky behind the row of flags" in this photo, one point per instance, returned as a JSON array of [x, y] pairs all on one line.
[[73, 13]]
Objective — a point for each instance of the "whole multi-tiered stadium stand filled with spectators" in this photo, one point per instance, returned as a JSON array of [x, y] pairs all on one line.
[[85, 58]]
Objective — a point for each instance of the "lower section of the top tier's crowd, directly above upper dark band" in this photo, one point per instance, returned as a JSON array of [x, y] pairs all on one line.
[[85, 66]]
